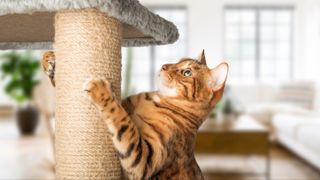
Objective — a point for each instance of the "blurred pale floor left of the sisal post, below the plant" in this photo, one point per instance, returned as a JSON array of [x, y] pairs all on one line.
[[28, 157]]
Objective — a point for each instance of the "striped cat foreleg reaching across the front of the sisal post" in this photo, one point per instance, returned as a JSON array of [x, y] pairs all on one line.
[[133, 150]]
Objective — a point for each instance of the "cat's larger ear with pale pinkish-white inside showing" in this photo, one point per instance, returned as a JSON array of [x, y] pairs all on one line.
[[219, 76]]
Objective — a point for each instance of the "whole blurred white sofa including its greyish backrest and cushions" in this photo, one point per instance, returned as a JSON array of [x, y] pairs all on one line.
[[290, 111]]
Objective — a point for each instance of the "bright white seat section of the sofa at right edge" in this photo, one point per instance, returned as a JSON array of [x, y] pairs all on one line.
[[300, 134]]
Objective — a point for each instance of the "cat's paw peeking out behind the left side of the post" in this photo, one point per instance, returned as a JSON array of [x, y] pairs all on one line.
[[48, 65]]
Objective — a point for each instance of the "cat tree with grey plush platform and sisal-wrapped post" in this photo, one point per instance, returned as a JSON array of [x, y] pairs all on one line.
[[87, 36]]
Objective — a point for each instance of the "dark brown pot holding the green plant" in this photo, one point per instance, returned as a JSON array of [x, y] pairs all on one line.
[[27, 120]]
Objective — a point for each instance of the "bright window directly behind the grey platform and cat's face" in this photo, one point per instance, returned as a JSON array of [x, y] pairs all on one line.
[[142, 64]]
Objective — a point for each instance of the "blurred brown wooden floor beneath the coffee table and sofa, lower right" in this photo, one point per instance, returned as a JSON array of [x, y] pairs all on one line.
[[284, 166]]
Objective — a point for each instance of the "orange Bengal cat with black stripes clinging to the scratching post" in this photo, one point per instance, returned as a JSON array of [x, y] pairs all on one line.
[[154, 133]]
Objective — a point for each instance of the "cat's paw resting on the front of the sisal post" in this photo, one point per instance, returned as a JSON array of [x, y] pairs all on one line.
[[98, 90]]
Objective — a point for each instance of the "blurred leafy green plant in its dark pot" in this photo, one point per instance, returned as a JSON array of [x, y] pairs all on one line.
[[19, 72]]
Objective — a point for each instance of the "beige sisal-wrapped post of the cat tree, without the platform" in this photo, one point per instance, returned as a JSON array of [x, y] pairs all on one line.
[[87, 44]]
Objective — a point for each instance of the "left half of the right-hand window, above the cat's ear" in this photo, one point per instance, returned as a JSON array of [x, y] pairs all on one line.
[[240, 42]]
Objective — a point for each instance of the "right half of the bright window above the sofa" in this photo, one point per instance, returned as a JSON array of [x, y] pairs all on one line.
[[275, 47]]
